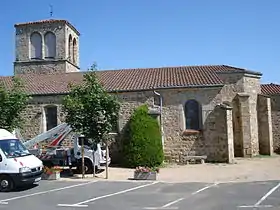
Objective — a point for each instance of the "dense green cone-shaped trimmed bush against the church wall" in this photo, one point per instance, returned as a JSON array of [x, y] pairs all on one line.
[[142, 141]]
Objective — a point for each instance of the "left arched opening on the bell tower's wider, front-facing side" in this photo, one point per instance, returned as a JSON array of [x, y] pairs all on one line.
[[36, 46]]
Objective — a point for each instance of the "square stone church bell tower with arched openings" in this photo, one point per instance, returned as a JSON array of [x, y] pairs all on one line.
[[47, 46]]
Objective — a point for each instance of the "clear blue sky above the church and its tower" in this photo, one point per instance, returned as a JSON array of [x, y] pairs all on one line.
[[154, 33]]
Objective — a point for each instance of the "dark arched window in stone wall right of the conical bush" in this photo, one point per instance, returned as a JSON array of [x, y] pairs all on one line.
[[193, 115]]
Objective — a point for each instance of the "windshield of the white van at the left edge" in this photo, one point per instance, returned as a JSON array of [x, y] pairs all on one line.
[[13, 148]]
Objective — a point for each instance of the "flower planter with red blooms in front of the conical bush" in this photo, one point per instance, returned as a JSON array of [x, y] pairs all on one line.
[[145, 173]]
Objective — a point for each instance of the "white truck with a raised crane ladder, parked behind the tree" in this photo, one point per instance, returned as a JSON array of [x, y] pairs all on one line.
[[57, 154]]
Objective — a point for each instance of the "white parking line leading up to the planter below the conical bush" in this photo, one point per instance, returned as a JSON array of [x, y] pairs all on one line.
[[82, 204]]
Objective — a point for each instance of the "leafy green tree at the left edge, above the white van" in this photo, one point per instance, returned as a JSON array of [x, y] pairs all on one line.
[[13, 101]]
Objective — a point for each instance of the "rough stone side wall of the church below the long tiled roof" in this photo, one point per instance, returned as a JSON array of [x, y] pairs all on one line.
[[210, 141]]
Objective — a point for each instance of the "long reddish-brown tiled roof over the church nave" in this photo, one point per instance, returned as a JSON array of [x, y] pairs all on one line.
[[129, 79]]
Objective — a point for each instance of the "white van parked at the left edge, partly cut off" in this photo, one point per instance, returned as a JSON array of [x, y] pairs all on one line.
[[18, 166]]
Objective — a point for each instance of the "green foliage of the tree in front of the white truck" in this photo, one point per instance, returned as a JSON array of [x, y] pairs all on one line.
[[90, 110]]
